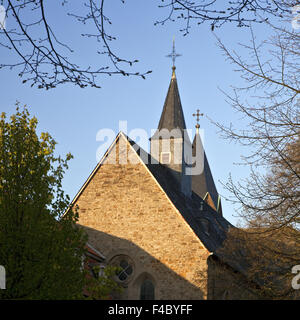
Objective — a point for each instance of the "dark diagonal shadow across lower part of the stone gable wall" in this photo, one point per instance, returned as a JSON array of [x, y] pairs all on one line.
[[167, 283]]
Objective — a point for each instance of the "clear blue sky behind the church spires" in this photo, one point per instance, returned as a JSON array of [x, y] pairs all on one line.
[[73, 116]]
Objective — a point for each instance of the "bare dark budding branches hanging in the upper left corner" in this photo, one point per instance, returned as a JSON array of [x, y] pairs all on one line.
[[44, 60]]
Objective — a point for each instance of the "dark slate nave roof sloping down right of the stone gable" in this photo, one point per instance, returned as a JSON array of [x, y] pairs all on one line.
[[210, 227]]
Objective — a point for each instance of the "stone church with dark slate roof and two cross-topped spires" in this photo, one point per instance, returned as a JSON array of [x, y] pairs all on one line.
[[145, 214]]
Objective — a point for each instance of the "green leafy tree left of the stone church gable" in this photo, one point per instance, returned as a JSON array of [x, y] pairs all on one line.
[[41, 248]]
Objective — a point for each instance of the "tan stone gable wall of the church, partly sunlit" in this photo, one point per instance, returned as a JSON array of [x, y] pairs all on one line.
[[125, 212]]
